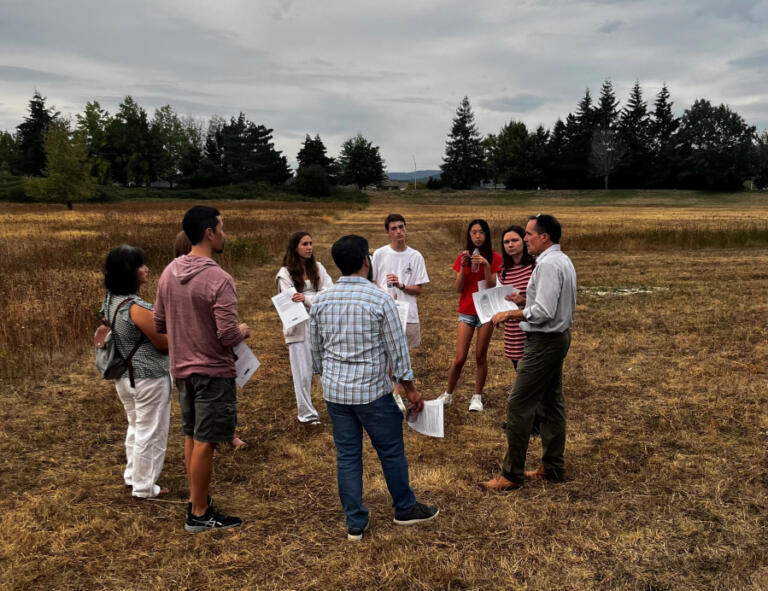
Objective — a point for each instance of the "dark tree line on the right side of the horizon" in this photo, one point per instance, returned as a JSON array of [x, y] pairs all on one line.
[[635, 146]]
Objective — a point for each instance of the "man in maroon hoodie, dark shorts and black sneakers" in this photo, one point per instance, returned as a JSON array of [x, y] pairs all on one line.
[[196, 306]]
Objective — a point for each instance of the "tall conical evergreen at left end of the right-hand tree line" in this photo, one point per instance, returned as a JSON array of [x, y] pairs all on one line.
[[464, 161]]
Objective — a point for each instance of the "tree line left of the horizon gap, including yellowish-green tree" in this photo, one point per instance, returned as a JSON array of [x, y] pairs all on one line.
[[66, 160]]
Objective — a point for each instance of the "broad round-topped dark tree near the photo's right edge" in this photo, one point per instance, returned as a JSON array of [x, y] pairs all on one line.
[[714, 148]]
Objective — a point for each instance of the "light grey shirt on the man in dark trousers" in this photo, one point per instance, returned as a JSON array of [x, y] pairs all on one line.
[[551, 293]]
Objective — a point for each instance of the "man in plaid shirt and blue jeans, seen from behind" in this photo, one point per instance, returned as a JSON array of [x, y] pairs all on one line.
[[356, 336]]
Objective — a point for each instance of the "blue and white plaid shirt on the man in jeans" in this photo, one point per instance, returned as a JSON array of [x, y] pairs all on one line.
[[356, 336]]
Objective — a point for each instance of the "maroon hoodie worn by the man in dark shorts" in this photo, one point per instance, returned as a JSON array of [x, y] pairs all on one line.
[[196, 306]]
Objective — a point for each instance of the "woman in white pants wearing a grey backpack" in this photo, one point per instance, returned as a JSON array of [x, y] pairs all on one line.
[[145, 387]]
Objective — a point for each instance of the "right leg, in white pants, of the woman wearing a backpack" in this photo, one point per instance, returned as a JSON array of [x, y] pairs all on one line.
[[153, 410]]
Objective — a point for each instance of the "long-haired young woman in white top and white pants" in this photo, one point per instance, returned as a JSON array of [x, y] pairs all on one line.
[[301, 271]]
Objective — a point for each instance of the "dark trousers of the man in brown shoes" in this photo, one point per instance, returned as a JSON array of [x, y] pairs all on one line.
[[538, 385]]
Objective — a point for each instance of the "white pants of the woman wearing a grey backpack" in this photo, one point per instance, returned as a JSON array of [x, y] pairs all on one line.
[[148, 408]]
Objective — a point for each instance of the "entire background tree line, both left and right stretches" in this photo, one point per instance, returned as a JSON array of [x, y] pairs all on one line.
[[600, 144]]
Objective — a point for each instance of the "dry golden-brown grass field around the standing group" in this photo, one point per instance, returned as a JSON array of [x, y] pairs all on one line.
[[665, 385]]
